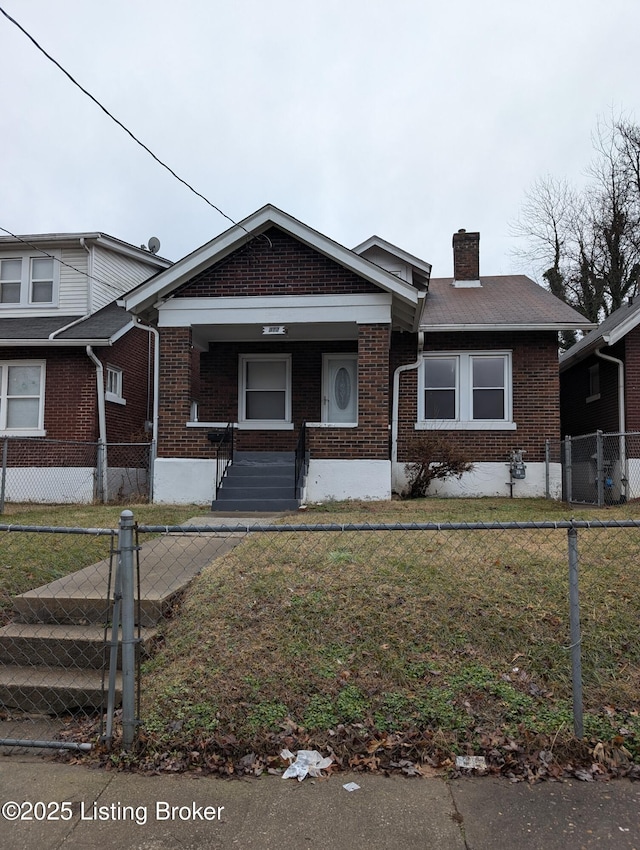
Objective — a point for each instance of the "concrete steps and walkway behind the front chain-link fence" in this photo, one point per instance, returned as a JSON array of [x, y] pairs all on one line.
[[53, 654]]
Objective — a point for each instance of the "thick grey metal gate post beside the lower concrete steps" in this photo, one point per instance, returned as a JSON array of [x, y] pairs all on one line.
[[126, 546]]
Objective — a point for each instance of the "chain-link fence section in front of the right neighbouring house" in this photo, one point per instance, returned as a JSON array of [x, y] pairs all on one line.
[[602, 469]]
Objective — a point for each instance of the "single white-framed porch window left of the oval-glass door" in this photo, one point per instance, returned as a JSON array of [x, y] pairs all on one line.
[[265, 389]]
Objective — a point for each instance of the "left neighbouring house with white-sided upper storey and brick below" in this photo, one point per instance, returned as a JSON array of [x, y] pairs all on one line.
[[73, 366]]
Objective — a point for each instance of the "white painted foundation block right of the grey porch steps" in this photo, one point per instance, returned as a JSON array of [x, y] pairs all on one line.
[[330, 480]]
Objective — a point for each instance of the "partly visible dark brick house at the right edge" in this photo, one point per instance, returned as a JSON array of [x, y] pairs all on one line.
[[600, 391]]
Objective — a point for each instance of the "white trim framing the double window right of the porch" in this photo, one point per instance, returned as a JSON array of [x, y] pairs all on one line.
[[464, 395]]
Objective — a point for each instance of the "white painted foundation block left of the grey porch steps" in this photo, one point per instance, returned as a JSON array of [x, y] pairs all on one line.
[[184, 481]]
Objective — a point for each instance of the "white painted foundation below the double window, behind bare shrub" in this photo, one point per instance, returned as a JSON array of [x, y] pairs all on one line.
[[491, 479]]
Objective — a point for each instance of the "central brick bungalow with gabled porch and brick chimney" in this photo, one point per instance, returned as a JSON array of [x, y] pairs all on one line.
[[272, 325]]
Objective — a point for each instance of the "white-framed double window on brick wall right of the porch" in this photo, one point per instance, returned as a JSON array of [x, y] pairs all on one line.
[[466, 390]]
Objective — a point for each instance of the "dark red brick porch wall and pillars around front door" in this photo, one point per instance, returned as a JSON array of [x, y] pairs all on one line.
[[218, 399]]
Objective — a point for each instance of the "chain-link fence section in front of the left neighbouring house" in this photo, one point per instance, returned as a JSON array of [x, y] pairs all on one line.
[[45, 471]]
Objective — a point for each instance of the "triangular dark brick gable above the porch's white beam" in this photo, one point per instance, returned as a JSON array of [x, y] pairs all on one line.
[[283, 267]]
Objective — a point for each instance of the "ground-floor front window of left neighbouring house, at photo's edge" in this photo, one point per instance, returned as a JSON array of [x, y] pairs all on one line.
[[21, 397]]
